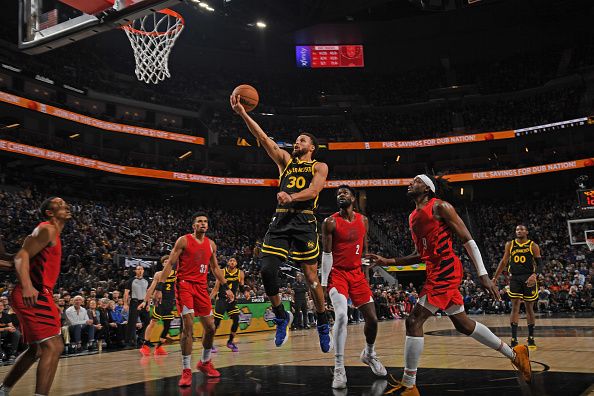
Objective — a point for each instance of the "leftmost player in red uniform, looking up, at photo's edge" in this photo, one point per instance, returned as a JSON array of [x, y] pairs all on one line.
[[37, 266]]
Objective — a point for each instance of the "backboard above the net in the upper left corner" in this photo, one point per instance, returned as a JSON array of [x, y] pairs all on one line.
[[48, 24]]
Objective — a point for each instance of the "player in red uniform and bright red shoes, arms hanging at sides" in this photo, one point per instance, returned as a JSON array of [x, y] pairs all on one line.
[[194, 254]]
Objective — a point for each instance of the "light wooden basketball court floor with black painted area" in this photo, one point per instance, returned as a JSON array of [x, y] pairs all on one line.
[[451, 364]]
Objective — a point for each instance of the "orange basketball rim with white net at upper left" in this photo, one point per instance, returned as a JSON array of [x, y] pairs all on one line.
[[152, 38]]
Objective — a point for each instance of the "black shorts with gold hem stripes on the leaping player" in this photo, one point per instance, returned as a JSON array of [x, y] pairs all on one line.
[[294, 235]]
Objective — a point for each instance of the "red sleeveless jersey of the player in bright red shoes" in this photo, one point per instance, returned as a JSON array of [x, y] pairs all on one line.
[[194, 261]]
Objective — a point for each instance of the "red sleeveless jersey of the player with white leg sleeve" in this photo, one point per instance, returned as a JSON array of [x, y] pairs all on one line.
[[347, 242]]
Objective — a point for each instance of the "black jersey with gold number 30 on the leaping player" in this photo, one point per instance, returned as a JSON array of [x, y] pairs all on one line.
[[296, 177]]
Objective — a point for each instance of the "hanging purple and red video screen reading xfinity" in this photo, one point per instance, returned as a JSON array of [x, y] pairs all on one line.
[[329, 56]]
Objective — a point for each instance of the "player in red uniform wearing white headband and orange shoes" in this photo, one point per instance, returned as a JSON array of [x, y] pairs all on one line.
[[431, 224]]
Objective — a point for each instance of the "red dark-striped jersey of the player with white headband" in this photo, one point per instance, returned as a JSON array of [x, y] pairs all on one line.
[[433, 241]]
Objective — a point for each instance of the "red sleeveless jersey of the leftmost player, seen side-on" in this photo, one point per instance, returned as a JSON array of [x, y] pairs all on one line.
[[44, 267]]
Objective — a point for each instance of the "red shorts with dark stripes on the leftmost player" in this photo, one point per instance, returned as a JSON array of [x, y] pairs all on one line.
[[39, 322]]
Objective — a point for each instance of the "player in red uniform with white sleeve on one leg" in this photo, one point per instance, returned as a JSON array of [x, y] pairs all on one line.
[[344, 235]]
